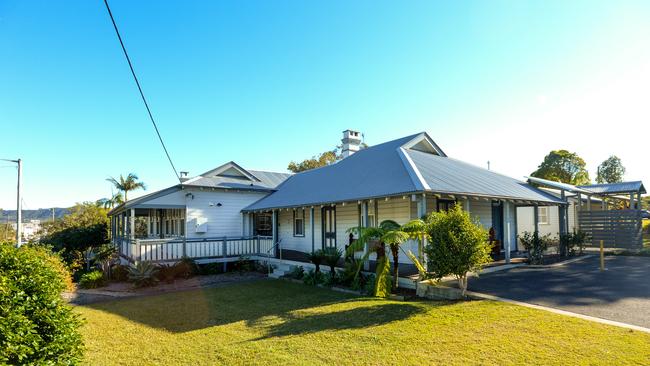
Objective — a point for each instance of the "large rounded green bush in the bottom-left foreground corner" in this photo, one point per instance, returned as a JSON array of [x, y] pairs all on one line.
[[36, 326]]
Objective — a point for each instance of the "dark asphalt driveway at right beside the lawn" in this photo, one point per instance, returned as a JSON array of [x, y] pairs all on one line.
[[621, 293]]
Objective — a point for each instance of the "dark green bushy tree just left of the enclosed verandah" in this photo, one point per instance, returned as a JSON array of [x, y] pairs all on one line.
[[87, 225]]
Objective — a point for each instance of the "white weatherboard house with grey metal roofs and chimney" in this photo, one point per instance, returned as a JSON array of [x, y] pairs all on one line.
[[230, 211]]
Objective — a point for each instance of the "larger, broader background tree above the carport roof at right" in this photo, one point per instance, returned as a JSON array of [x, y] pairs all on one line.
[[563, 166]]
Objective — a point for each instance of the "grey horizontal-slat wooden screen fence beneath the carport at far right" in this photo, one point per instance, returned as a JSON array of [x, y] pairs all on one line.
[[617, 228]]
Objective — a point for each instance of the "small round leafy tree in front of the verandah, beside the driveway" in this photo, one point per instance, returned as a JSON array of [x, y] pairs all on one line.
[[457, 245]]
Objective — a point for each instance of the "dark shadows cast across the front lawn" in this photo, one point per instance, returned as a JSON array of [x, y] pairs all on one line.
[[253, 303]]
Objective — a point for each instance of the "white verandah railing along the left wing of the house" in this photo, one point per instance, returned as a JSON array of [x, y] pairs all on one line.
[[161, 250]]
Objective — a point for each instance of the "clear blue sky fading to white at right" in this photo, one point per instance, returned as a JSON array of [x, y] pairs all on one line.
[[266, 82]]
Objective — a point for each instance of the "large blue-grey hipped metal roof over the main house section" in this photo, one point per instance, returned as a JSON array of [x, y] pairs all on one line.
[[393, 168]]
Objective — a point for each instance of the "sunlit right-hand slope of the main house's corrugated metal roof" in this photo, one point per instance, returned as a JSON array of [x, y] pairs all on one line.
[[453, 176]]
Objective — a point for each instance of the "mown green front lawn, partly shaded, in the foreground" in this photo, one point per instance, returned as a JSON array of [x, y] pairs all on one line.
[[272, 322]]
